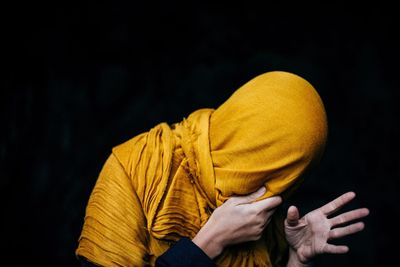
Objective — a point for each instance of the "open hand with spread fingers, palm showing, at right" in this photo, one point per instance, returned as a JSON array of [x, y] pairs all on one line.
[[309, 236]]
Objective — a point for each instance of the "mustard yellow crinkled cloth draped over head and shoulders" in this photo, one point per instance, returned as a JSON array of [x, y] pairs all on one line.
[[164, 184]]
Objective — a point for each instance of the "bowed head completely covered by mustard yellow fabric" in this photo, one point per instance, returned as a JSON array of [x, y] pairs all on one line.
[[269, 132]]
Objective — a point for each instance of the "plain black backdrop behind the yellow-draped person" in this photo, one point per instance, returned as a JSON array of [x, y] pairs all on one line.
[[80, 79]]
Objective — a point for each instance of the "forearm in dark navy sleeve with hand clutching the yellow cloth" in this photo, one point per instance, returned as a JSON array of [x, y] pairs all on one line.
[[238, 220]]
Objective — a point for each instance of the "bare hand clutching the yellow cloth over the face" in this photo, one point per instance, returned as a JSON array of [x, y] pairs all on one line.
[[238, 220]]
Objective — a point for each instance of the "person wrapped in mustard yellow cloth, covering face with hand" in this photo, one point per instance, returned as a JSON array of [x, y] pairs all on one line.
[[179, 194]]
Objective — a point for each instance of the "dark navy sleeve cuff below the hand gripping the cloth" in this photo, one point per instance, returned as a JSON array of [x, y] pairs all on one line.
[[184, 253]]
